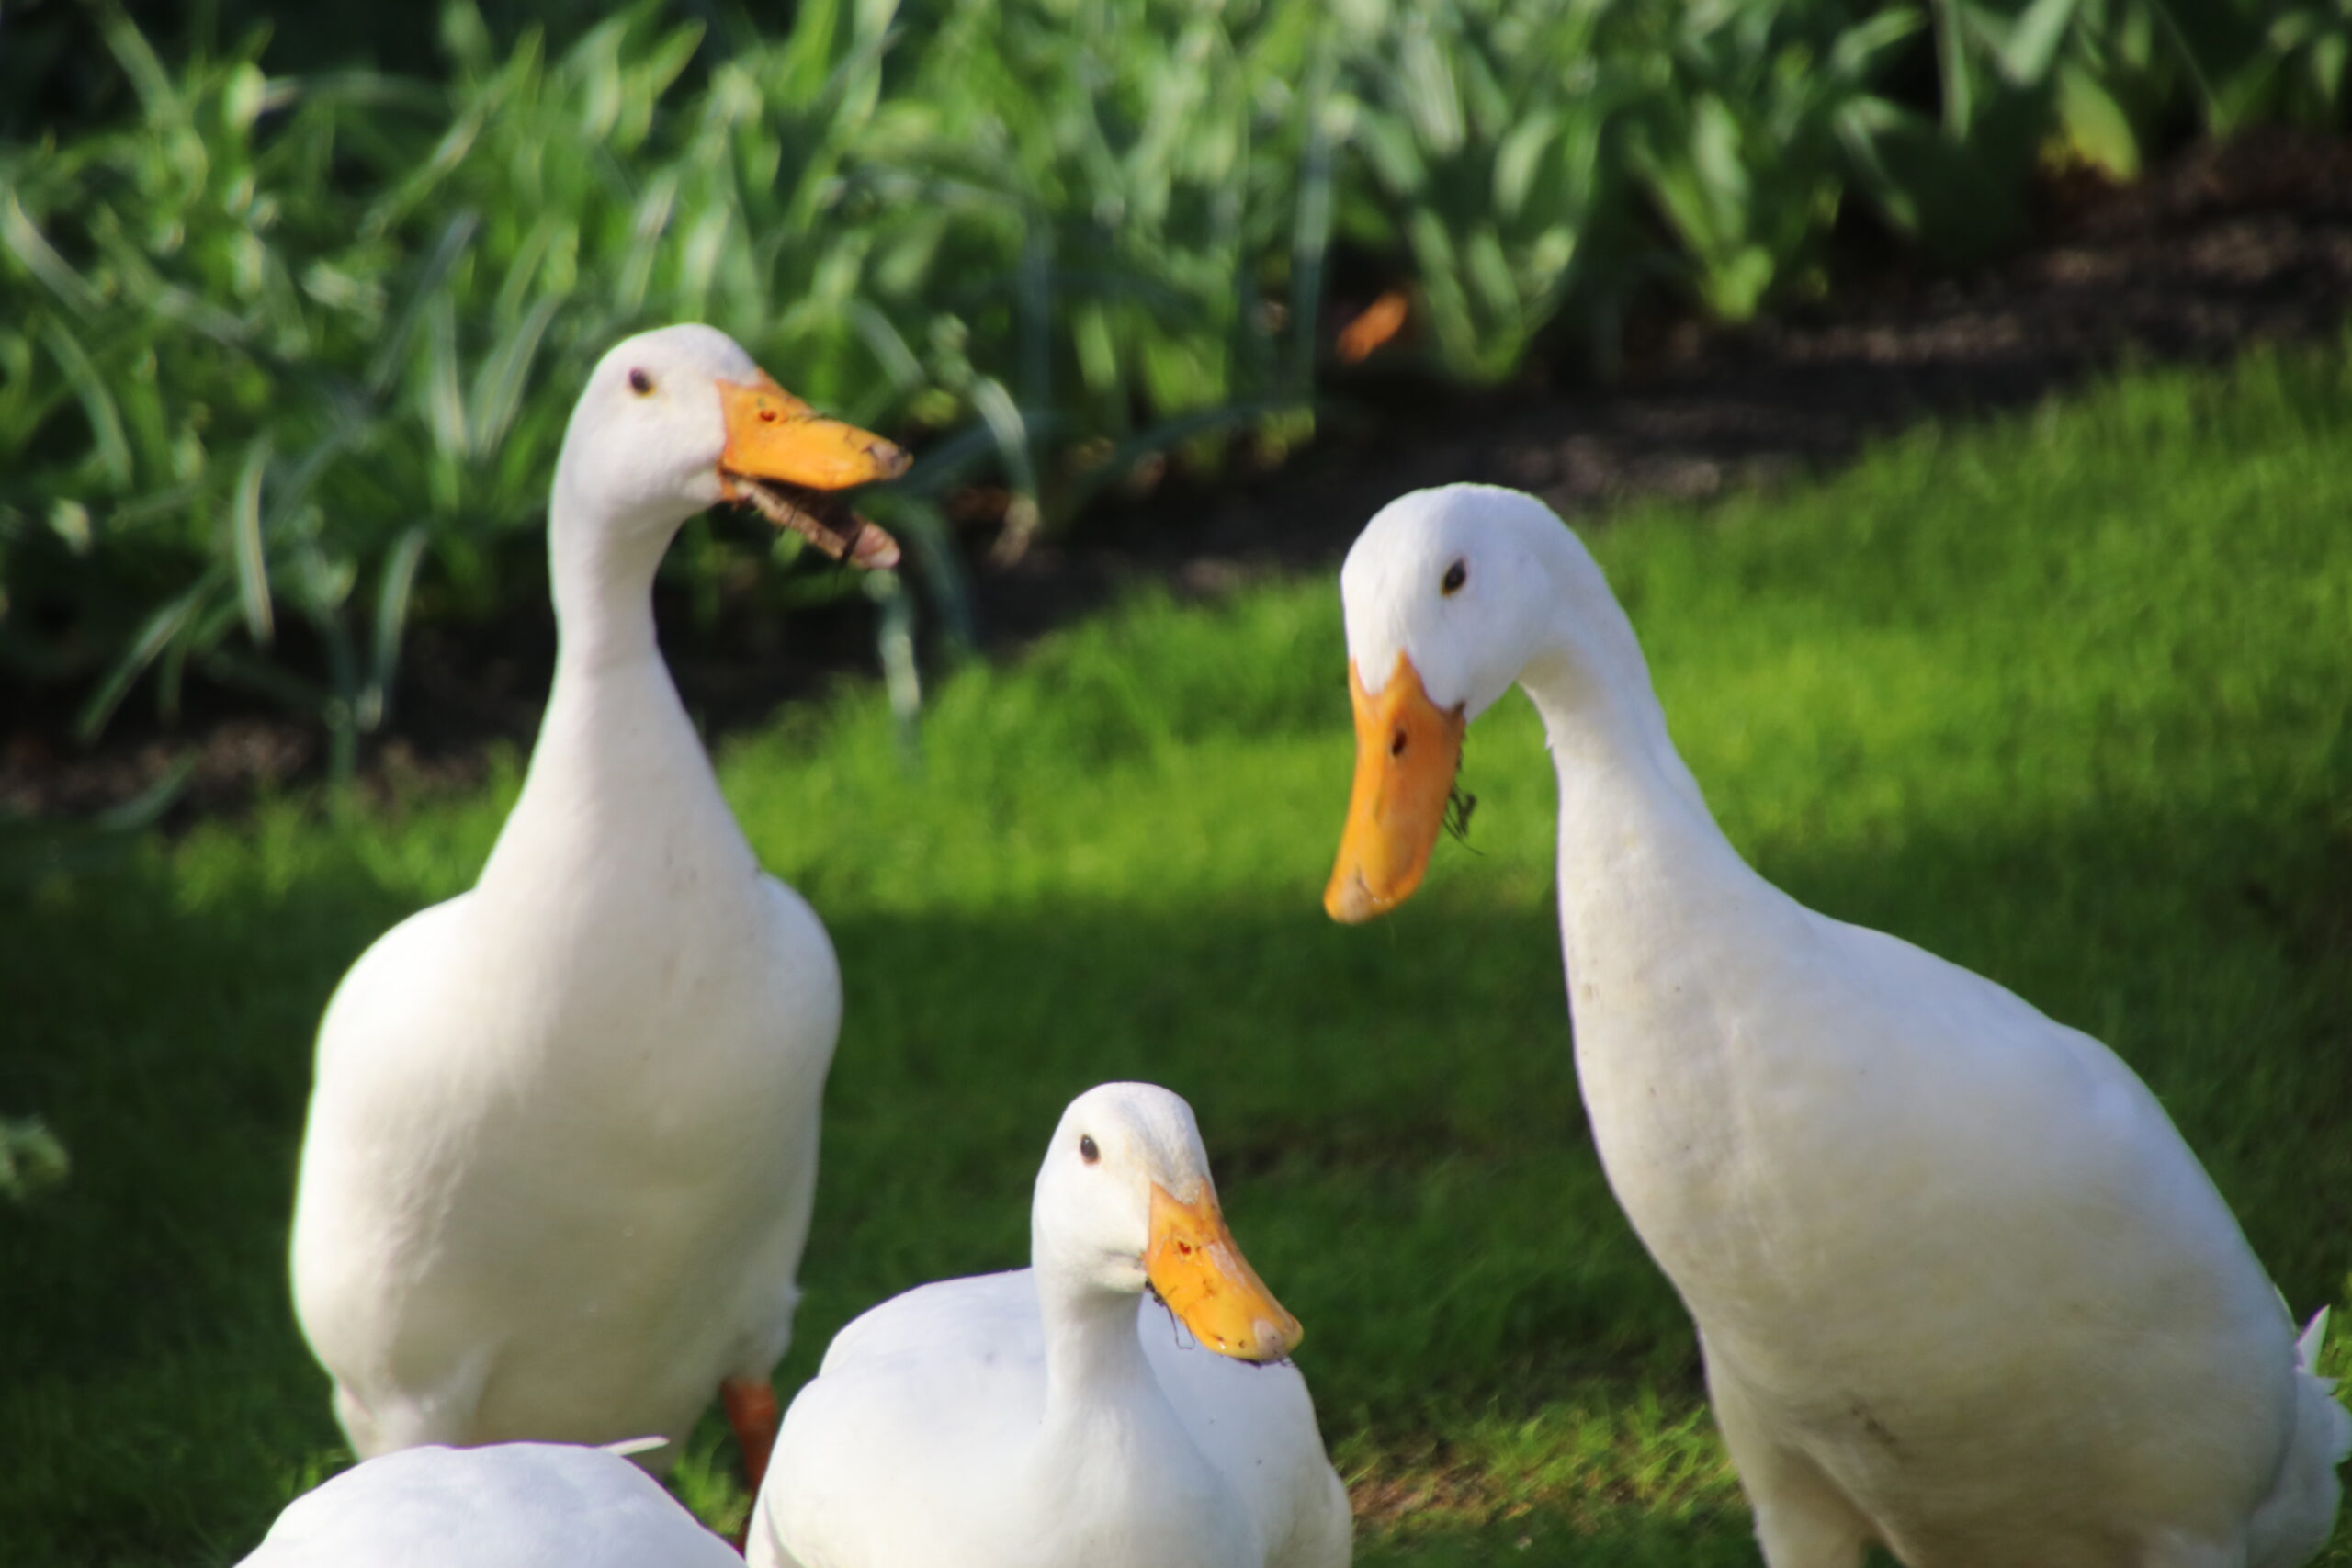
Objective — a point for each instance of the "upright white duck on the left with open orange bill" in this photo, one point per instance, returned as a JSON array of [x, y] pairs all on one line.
[[563, 1137]]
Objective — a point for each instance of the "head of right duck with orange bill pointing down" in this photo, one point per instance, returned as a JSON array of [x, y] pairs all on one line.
[[1450, 596]]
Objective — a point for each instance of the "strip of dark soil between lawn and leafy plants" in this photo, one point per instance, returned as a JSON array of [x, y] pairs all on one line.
[[2221, 250]]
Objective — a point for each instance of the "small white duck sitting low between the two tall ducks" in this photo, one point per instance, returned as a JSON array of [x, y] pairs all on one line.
[[1048, 1419]]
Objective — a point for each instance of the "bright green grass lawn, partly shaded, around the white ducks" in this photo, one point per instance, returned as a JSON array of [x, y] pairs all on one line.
[[2064, 702]]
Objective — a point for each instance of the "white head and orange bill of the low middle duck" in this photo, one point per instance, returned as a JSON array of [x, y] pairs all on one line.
[[1125, 1205]]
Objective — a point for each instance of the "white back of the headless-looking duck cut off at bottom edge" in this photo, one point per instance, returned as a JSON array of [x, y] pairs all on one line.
[[512, 1506]]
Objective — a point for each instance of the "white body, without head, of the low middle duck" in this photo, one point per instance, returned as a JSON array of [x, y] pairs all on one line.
[[1024, 1421]]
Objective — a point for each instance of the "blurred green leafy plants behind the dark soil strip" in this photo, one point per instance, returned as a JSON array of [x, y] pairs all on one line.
[[286, 351]]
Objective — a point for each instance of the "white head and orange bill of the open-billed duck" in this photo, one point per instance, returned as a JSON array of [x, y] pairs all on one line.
[[681, 420]]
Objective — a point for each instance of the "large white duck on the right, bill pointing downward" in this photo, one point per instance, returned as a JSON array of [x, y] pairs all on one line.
[[1960, 1287]]
